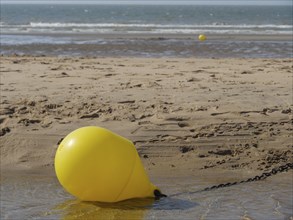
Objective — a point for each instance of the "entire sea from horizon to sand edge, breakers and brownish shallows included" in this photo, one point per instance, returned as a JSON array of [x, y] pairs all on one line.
[[120, 30]]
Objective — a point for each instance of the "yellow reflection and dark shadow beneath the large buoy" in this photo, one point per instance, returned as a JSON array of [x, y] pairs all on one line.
[[129, 209]]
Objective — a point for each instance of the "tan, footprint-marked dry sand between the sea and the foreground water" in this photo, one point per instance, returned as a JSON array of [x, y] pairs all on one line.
[[186, 116]]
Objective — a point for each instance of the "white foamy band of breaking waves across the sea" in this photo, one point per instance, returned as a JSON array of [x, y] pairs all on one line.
[[134, 28]]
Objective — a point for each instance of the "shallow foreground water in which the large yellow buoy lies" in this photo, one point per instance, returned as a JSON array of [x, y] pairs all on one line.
[[35, 196]]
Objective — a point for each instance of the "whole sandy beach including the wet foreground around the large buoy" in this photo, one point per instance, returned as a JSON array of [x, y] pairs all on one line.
[[195, 123]]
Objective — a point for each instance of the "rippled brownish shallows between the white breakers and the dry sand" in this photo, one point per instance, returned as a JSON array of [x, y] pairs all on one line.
[[168, 46]]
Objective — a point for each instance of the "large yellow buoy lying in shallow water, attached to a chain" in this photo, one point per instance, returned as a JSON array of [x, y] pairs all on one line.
[[95, 164]]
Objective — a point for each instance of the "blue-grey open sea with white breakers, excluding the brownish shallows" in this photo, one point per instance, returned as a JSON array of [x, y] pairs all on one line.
[[193, 19]]
